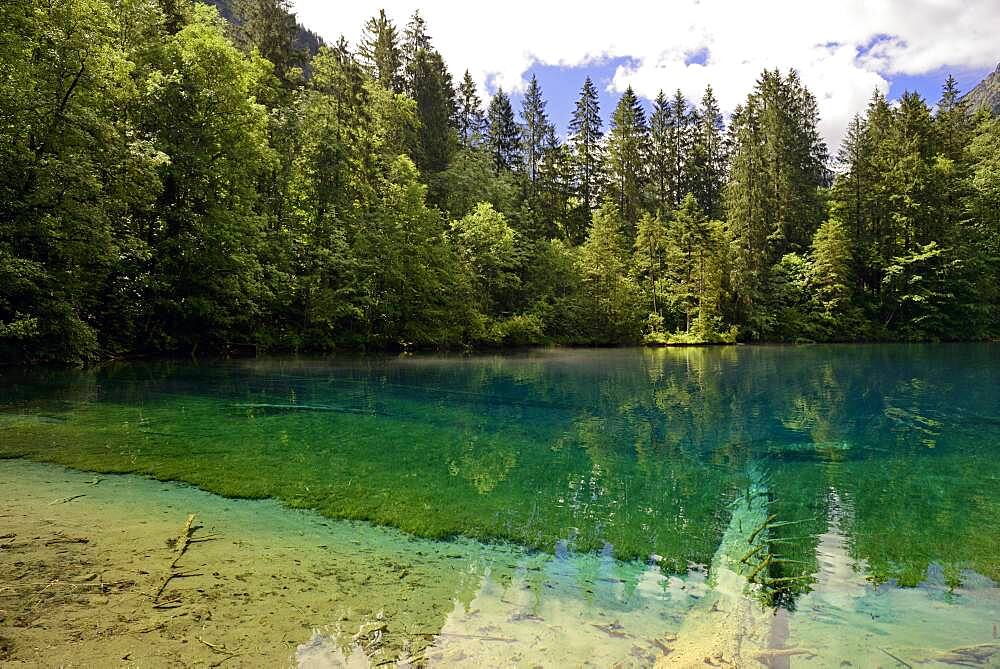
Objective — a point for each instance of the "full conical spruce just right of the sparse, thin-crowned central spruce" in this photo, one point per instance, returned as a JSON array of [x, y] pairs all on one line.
[[628, 149]]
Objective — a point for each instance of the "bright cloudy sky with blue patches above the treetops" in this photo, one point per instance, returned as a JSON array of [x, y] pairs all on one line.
[[843, 49]]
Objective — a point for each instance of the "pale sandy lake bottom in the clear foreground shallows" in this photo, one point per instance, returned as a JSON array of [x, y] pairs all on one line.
[[84, 556]]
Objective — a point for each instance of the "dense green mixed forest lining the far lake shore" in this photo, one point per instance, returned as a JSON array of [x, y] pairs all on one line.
[[175, 182]]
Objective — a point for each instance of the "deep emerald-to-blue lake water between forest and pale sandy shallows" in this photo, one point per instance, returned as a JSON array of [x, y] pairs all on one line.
[[642, 456]]
